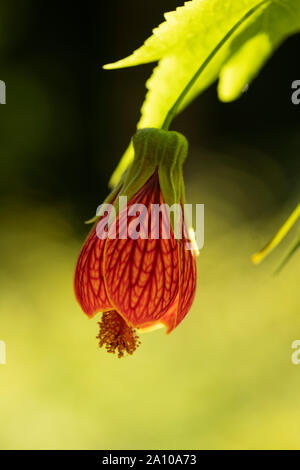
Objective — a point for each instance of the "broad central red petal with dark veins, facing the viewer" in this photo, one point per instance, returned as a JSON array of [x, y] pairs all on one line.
[[141, 276]]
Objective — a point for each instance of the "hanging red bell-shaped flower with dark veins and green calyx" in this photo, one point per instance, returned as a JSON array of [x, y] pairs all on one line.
[[140, 278]]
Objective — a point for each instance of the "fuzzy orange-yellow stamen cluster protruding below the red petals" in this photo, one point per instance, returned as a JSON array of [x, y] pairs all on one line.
[[116, 335]]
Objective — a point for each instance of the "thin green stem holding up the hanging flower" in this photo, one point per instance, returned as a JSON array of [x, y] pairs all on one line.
[[173, 111]]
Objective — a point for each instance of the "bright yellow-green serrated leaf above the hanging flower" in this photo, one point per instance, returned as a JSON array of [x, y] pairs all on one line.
[[186, 38]]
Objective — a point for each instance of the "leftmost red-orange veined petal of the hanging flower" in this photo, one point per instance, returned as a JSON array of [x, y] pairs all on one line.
[[88, 282]]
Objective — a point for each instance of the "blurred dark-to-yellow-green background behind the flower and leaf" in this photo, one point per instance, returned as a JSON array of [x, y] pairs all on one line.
[[224, 379]]
